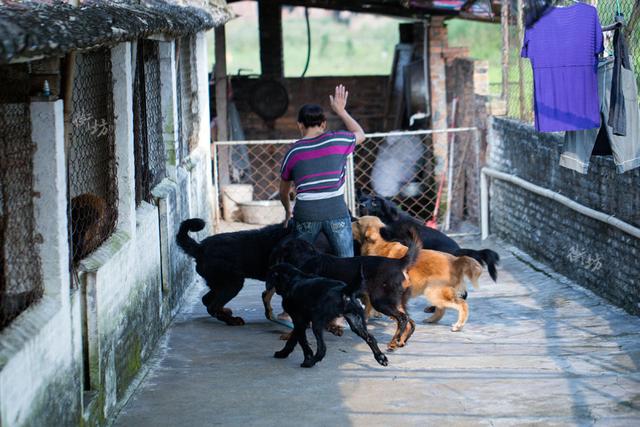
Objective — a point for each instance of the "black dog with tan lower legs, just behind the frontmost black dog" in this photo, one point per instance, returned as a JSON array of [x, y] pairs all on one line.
[[384, 278]]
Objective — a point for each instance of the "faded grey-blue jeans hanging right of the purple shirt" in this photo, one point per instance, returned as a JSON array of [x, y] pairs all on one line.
[[578, 145]]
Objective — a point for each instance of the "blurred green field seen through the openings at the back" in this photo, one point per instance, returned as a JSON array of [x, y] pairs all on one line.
[[363, 46]]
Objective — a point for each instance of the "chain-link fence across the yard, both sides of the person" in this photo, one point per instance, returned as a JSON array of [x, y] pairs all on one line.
[[437, 186]]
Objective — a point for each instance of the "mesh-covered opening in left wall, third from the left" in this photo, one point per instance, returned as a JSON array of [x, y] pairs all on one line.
[[149, 150]]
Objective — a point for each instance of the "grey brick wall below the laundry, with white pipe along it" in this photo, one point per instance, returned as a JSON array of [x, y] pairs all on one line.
[[597, 256]]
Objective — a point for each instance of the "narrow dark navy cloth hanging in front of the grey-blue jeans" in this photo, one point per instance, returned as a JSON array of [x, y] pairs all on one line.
[[617, 111]]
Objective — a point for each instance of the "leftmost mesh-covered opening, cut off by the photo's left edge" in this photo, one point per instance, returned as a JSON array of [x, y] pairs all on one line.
[[20, 273]]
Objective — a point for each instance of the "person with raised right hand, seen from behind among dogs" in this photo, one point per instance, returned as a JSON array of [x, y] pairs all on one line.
[[315, 168]]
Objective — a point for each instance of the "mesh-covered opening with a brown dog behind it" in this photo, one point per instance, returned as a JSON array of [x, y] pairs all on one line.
[[93, 205]]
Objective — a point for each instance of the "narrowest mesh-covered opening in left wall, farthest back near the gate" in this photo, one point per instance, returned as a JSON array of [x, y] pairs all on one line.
[[187, 96]]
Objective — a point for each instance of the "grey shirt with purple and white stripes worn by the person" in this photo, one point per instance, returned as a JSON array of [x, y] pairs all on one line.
[[318, 168]]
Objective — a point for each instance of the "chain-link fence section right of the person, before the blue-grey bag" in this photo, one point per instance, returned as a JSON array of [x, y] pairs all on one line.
[[436, 184]]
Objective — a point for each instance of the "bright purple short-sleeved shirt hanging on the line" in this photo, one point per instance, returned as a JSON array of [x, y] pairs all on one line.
[[563, 47]]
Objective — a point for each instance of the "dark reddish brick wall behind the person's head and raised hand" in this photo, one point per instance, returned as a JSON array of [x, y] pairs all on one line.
[[366, 104]]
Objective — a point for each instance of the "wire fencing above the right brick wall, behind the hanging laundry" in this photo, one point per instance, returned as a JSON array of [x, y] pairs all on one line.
[[518, 92]]
